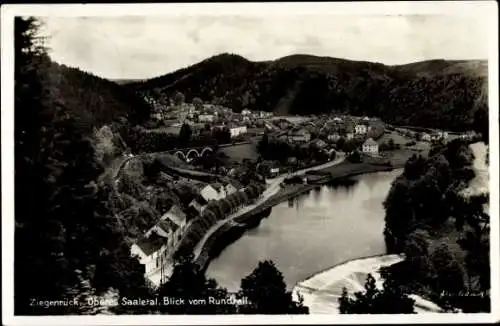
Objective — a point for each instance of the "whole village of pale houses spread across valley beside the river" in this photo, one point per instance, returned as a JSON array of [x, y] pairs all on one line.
[[266, 150]]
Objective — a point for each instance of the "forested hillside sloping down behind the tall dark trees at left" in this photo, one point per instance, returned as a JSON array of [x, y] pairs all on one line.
[[92, 100]]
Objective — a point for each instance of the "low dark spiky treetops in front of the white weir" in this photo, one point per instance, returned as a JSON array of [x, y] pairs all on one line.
[[389, 300]]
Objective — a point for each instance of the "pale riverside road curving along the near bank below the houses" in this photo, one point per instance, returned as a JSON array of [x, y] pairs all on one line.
[[273, 186]]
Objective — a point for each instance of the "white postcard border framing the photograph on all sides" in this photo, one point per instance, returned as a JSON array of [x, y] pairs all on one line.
[[487, 8]]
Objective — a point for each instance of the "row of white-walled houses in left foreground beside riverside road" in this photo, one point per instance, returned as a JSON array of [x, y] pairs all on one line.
[[156, 247]]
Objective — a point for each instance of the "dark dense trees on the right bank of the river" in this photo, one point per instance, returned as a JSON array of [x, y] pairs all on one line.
[[443, 233]]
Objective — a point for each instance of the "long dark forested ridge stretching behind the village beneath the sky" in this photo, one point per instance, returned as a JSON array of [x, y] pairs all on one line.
[[436, 93]]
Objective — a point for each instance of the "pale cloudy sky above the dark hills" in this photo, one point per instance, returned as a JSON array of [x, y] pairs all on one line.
[[139, 47]]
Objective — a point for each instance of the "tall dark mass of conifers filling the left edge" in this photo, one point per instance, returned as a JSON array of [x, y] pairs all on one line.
[[67, 239]]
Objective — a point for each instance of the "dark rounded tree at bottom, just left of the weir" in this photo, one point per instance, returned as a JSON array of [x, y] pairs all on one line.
[[266, 291]]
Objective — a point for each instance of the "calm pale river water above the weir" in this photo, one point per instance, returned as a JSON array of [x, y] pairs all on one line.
[[312, 232]]
